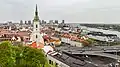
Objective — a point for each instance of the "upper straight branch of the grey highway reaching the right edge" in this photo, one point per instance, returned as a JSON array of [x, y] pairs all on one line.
[[94, 49]]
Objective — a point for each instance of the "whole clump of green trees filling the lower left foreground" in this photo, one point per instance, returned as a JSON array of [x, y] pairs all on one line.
[[20, 56]]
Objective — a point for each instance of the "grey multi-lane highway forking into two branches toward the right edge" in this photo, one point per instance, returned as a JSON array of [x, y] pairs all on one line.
[[98, 51]]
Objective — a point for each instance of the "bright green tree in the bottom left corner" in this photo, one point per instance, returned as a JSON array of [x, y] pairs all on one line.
[[7, 58]]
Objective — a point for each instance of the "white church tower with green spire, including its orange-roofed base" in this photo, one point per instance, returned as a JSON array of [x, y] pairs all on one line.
[[36, 36]]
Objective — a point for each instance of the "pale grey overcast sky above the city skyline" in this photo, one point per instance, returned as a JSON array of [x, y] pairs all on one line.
[[69, 10]]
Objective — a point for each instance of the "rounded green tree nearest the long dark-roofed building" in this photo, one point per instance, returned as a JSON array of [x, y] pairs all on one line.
[[33, 57]]
